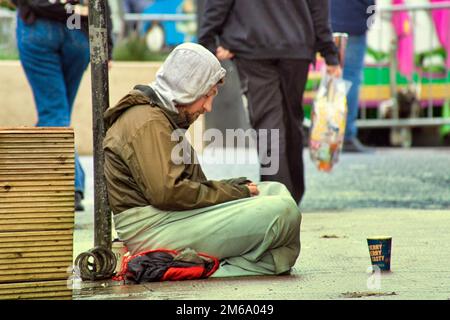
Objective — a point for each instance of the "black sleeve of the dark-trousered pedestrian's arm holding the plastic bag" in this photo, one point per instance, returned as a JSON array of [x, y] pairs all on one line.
[[320, 13]]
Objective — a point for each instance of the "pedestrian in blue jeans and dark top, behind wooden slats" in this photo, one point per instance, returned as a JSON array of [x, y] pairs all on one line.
[[54, 59]]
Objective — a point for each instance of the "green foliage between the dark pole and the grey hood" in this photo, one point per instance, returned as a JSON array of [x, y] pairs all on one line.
[[134, 48]]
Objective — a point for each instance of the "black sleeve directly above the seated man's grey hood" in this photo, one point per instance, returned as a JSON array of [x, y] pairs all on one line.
[[214, 17]]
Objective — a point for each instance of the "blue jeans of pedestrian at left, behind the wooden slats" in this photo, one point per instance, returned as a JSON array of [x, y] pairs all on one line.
[[54, 59]]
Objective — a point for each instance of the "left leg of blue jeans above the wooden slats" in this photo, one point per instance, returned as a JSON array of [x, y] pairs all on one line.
[[39, 47]]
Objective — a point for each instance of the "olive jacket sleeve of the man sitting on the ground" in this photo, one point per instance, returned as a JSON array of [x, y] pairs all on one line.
[[165, 184]]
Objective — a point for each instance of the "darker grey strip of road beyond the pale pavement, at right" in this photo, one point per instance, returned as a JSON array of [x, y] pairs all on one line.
[[391, 178]]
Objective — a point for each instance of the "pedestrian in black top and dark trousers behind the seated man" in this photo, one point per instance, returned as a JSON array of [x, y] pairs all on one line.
[[273, 44]]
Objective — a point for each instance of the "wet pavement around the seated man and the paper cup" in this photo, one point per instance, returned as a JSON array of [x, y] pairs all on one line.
[[396, 192]]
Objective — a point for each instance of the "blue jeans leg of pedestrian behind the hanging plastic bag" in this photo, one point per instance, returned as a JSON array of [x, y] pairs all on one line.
[[353, 71]]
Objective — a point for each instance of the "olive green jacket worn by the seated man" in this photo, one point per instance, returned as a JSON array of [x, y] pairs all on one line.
[[139, 169]]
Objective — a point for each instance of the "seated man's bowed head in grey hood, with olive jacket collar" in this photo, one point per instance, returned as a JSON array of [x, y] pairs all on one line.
[[184, 88]]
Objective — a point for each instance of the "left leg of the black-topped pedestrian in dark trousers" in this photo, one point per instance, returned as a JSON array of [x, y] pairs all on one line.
[[260, 81]]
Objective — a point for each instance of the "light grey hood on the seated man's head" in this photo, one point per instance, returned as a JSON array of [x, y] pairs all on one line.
[[188, 73]]
